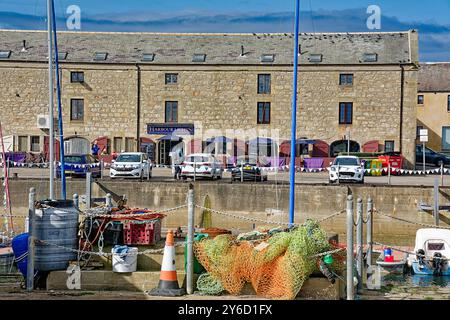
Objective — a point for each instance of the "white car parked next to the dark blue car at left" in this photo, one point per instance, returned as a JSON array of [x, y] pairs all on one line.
[[131, 165]]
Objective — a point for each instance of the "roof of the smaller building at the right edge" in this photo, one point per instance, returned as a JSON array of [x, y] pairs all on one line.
[[434, 77]]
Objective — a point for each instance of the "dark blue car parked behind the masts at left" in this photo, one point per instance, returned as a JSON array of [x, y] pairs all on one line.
[[77, 165]]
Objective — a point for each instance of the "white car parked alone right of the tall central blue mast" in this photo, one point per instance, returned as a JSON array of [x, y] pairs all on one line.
[[346, 168]]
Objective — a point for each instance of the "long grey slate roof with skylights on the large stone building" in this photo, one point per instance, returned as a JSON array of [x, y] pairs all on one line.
[[220, 49]]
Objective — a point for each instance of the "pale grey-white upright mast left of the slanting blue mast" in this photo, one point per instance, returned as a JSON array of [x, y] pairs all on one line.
[[50, 93]]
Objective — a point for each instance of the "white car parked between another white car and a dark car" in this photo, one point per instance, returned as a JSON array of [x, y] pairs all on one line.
[[202, 165]]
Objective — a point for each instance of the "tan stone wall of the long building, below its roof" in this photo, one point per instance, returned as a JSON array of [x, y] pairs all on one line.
[[217, 97]]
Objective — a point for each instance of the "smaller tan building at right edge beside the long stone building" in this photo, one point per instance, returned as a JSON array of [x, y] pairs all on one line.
[[433, 105]]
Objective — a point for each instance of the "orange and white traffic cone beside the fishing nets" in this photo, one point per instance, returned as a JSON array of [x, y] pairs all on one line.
[[168, 281]]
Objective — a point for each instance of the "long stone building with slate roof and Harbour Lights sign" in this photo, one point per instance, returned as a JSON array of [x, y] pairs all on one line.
[[134, 88]]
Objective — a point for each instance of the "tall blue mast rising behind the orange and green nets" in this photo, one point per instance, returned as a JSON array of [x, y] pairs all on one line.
[[294, 120]]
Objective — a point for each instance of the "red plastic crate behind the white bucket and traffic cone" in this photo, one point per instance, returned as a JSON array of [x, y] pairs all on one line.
[[143, 233]]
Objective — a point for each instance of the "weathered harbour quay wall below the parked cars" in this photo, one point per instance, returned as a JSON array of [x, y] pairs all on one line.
[[268, 202]]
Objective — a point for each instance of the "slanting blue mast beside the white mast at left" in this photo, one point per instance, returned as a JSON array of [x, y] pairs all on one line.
[[60, 122]]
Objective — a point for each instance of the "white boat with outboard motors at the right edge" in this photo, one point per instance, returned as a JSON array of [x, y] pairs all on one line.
[[432, 251]]
